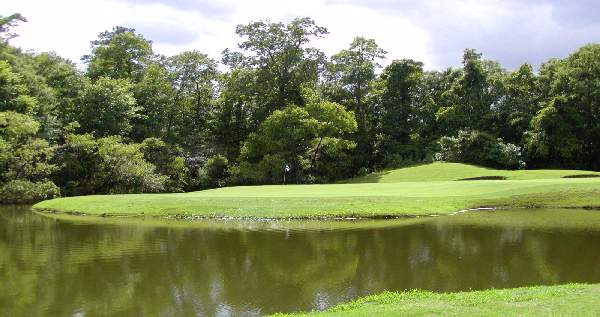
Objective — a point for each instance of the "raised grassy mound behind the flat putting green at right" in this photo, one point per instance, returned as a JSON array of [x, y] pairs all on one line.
[[442, 171]]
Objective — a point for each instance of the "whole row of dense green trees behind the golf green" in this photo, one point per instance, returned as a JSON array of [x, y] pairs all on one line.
[[136, 121]]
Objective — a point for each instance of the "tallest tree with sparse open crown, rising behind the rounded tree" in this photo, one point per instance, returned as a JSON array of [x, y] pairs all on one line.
[[279, 51]]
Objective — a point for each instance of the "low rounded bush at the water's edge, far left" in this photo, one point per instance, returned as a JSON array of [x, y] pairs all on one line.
[[27, 192]]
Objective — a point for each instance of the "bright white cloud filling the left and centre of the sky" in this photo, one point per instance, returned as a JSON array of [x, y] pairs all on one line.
[[67, 26]]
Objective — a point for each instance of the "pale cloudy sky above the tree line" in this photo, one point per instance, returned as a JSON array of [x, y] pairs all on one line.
[[432, 31]]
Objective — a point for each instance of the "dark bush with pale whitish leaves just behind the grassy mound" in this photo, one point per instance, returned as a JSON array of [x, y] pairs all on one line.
[[479, 148]]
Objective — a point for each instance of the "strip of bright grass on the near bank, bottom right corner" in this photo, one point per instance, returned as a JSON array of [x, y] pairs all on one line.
[[564, 300]]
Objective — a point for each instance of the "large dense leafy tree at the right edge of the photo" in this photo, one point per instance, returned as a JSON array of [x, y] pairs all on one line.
[[565, 132]]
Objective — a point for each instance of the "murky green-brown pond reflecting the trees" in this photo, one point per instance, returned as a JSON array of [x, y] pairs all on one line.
[[89, 267]]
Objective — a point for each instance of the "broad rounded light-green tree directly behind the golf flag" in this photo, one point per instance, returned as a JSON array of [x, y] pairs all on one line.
[[302, 138]]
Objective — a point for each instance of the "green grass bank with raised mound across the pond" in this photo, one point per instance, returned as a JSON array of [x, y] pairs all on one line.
[[431, 189]]
